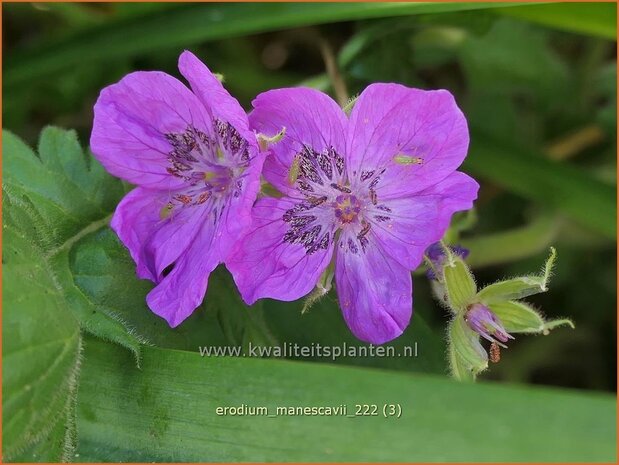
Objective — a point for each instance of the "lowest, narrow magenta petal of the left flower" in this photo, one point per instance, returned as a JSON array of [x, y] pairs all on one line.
[[180, 292]]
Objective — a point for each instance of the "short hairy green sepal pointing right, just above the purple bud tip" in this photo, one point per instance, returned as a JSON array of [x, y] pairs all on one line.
[[518, 317]]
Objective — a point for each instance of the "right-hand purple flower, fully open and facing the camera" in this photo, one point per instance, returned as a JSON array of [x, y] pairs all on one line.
[[370, 192]]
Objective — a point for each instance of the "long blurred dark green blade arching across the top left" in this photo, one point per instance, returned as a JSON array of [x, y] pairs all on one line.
[[187, 25]]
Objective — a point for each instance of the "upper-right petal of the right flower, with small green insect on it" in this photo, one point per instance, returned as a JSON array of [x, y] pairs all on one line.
[[390, 120]]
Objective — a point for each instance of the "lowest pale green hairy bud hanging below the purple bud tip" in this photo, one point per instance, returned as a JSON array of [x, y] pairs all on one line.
[[467, 356]]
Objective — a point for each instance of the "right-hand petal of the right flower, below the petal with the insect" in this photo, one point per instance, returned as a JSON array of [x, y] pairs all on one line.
[[413, 223]]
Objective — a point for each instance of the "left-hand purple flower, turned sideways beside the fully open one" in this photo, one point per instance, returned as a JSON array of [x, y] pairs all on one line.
[[197, 166]]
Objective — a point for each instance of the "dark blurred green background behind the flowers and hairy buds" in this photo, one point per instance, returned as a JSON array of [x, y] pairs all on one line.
[[537, 83]]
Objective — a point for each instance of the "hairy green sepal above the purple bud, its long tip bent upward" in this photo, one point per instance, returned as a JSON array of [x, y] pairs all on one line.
[[517, 288]]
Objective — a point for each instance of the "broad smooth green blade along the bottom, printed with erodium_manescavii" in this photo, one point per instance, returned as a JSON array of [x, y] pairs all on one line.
[[166, 411]]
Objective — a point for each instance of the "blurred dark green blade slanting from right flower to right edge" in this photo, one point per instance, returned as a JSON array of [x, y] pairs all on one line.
[[564, 187]]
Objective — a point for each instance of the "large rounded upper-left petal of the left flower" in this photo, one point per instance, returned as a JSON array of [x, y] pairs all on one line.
[[131, 119]]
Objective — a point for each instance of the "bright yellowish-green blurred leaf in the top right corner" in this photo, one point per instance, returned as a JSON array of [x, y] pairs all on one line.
[[599, 19]]
